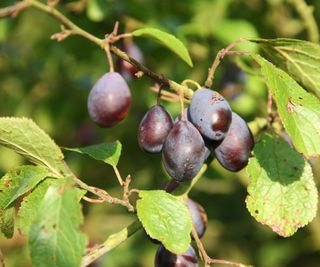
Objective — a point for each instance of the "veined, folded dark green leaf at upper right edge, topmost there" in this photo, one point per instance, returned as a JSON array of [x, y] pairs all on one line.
[[301, 59]]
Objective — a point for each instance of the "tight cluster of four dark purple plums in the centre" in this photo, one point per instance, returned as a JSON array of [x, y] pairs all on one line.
[[209, 127]]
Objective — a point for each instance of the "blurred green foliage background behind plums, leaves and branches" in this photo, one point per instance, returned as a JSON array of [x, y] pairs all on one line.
[[49, 82]]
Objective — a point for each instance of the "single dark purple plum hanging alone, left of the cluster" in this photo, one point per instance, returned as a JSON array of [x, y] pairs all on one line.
[[109, 100]]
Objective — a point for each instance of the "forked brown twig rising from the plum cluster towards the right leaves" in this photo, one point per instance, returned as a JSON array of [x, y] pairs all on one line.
[[221, 54]]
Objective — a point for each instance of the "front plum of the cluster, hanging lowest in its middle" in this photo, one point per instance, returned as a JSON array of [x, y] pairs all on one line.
[[183, 151]]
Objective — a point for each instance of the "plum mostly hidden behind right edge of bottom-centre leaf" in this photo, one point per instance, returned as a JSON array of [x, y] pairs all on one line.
[[198, 215]]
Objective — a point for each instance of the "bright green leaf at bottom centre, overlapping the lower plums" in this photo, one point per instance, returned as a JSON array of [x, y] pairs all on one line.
[[166, 218]]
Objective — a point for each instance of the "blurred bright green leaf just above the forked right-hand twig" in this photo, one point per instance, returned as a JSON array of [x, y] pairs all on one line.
[[227, 31]]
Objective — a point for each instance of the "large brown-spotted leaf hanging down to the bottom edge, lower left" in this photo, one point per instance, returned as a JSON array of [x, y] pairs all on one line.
[[54, 239]]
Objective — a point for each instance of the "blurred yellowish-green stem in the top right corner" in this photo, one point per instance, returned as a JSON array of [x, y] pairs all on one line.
[[306, 14]]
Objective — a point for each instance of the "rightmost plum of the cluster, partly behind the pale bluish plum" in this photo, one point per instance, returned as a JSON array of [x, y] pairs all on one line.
[[234, 151]]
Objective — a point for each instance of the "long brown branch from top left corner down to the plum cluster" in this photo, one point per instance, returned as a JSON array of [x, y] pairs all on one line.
[[76, 30]]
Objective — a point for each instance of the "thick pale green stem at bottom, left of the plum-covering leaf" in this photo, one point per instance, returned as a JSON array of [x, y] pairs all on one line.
[[113, 241]]
